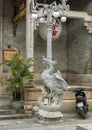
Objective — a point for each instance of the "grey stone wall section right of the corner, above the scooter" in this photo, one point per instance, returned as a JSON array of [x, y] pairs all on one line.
[[79, 48]]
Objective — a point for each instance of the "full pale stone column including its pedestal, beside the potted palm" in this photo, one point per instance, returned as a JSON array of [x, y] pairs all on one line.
[[29, 50]]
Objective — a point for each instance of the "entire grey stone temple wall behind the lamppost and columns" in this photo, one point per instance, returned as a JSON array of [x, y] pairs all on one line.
[[72, 49]]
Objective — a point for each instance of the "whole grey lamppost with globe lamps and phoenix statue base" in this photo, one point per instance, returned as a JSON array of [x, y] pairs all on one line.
[[52, 91]]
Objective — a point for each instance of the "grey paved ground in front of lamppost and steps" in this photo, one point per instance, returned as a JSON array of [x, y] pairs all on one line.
[[68, 122]]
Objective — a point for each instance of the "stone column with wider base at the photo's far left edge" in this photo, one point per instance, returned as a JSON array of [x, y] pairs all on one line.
[[5, 99]]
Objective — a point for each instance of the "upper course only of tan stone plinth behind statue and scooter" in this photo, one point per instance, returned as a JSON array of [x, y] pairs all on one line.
[[34, 93]]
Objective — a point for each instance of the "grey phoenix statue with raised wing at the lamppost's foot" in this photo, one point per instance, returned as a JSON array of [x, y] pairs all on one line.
[[52, 91]]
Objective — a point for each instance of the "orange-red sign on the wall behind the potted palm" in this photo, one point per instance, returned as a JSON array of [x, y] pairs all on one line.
[[7, 54]]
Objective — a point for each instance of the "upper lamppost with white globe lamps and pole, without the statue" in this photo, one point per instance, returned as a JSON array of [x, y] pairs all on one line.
[[49, 11]]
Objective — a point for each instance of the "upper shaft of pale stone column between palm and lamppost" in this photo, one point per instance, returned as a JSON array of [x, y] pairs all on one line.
[[29, 30]]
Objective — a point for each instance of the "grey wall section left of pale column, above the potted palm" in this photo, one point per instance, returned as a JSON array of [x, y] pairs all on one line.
[[8, 39]]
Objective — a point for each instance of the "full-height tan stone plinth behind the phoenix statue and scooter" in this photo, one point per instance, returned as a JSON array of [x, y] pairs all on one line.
[[68, 105]]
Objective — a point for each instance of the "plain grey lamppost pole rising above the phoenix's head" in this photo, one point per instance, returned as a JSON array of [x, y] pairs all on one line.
[[49, 34]]
